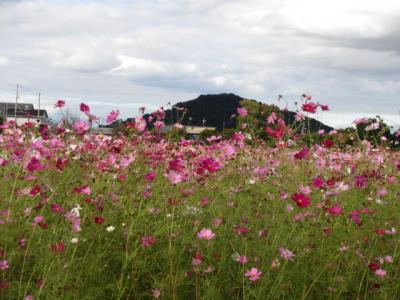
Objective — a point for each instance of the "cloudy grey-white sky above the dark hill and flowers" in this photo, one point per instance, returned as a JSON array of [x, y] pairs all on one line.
[[127, 54]]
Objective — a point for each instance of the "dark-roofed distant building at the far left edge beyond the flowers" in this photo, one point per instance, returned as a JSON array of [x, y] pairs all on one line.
[[25, 113]]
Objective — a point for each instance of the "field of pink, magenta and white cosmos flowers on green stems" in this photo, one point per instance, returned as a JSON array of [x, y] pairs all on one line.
[[140, 216]]
